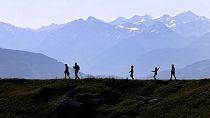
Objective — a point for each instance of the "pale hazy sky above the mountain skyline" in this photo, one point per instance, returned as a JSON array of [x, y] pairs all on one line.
[[36, 13]]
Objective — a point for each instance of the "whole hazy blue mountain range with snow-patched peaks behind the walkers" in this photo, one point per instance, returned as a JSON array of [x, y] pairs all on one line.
[[109, 48]]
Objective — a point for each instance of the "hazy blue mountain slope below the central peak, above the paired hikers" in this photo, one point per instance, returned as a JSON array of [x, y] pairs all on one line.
[[82, 41]]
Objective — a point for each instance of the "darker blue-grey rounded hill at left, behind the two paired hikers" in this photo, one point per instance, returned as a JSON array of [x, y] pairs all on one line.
[[21, 64]]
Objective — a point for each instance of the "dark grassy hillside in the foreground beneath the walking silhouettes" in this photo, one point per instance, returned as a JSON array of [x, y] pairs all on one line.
[[102, 98]]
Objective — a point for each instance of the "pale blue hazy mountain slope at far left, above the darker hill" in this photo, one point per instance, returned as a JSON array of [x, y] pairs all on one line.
[[24, 39]]
